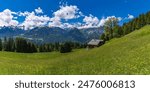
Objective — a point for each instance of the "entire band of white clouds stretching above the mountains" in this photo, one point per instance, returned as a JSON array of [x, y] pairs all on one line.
[[61, 18]]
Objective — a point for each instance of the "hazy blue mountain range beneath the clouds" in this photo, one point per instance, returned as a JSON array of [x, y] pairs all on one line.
[[52, 34]]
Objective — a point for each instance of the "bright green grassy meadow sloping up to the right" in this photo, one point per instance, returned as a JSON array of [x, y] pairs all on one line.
[[126, 55]]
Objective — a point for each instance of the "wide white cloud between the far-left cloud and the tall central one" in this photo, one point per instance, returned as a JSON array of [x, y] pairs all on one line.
[[33, 20]]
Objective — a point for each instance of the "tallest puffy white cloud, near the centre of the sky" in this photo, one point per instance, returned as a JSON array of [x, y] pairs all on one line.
[[67, 13]]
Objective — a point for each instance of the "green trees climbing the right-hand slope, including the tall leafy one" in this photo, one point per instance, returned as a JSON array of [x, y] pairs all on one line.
[[112, 29]]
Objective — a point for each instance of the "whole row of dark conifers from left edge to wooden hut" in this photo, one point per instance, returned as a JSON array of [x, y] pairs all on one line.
[[21, 45]]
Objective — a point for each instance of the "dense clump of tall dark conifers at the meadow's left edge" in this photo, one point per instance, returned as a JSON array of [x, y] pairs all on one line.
[[18, 45]]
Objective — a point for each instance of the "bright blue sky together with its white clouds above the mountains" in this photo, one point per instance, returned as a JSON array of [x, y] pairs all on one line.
[[93, 11]]
